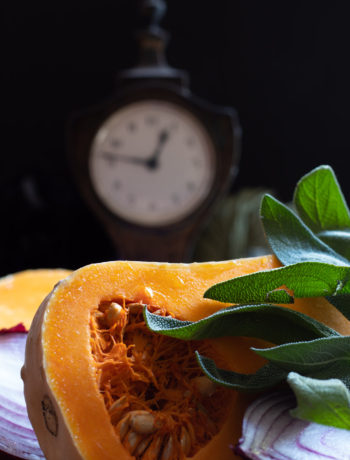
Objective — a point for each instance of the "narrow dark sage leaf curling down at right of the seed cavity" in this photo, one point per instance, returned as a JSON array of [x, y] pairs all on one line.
[[264, 378]]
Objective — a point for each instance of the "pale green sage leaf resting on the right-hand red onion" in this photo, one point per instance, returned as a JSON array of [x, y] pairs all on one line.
[[322, 401]]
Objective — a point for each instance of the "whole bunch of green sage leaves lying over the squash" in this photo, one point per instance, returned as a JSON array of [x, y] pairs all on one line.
[[312, 243]]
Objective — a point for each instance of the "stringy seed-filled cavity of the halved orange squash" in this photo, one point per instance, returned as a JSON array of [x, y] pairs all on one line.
[[160, 404]]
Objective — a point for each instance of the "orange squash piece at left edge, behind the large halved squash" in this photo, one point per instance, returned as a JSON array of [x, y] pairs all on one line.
[[22, 292]]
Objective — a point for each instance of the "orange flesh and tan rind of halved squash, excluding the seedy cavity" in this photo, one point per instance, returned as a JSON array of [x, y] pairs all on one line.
[[64, 403]]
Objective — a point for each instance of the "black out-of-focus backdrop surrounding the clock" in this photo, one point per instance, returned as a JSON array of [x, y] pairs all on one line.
[[283, 65]]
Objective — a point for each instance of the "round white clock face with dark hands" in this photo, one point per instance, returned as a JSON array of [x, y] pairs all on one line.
[[152, 163]]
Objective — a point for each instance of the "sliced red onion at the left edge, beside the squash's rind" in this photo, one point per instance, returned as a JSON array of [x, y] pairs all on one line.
[[17, 437]]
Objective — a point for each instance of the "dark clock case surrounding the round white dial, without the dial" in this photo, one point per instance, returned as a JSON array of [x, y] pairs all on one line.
[[221, 125]]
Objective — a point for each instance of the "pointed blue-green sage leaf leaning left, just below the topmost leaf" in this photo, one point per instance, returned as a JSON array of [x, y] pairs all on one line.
[[290, 239]]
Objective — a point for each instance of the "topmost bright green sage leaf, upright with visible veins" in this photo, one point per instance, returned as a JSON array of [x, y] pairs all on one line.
[[320, 202]]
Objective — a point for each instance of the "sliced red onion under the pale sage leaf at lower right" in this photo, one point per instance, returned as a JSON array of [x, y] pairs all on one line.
[[269, 432]]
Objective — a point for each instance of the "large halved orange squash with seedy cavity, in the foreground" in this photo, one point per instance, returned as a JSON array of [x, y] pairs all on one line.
[[94, 374]]
